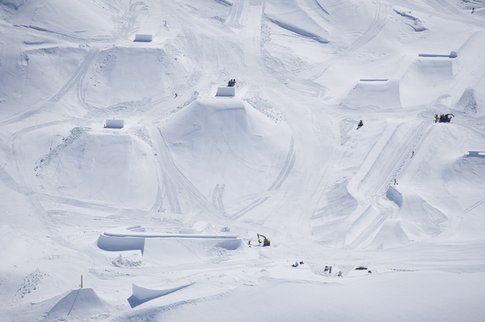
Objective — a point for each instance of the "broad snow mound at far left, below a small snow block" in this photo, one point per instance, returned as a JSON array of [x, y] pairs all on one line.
[[103, 166]]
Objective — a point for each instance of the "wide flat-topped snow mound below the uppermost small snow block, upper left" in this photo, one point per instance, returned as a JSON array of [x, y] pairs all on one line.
[[131, 76]]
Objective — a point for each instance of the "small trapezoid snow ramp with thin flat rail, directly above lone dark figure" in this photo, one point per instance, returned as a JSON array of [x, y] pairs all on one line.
[[373, 95]]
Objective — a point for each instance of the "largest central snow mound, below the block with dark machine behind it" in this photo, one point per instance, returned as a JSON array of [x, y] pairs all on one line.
[[228, 150]]
